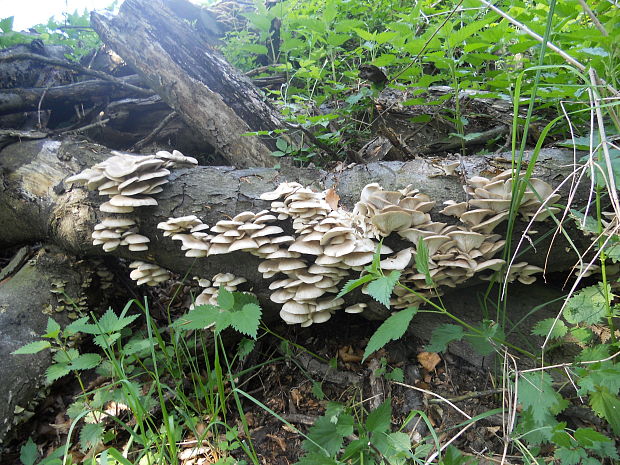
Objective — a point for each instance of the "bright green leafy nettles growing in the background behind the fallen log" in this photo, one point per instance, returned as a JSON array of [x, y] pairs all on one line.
[[465, 45]]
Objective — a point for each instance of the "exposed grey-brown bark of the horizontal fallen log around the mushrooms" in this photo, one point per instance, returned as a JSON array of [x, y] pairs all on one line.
[[35, 205]]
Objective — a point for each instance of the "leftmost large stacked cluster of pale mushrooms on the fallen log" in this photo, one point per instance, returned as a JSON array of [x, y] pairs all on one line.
[[129, 181]]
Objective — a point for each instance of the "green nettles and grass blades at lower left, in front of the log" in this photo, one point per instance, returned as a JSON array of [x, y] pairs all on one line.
[[147, 403]]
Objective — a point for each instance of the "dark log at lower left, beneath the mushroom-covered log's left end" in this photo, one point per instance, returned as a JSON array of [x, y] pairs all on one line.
[[31, 291]]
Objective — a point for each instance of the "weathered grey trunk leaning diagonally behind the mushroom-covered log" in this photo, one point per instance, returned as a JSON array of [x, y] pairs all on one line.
[[158, 40]]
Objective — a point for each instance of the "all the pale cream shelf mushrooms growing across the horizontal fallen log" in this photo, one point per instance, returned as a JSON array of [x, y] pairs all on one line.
[[327, 243]]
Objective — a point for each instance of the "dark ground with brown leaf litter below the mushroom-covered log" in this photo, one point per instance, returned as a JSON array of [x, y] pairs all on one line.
[[297, 387]]
